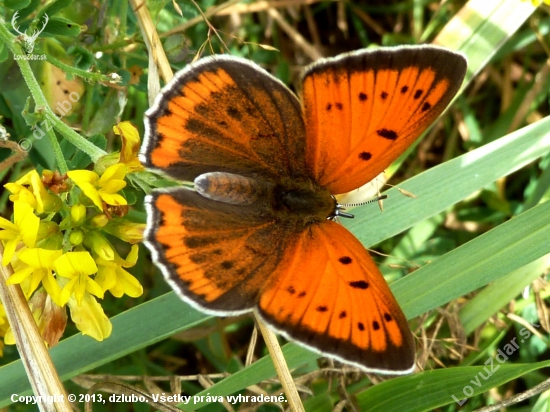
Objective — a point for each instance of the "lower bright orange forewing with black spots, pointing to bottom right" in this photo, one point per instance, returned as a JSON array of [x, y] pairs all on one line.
[[328, 294]]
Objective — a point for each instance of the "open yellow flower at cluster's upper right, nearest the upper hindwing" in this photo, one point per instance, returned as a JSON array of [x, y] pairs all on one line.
[[102, 189]]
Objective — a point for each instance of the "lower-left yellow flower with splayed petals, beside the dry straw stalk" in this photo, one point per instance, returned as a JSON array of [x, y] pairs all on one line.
[[39, 269]]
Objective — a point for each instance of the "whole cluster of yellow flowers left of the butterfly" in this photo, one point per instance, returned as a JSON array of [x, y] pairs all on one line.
[[58, 242]]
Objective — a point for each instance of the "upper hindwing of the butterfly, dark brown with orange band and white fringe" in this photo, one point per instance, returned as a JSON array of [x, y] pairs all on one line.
[[225, 114]]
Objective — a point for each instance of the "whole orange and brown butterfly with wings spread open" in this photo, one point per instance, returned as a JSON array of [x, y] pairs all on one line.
[[258, 232]]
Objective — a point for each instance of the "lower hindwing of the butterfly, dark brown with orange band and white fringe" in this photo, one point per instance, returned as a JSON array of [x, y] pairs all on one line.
[[213, 253]]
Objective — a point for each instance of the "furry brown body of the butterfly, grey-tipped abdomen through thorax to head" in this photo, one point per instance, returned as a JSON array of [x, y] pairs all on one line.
[[284, 198]]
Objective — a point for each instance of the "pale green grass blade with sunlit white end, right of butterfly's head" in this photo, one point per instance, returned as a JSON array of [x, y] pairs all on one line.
[[451, 182]]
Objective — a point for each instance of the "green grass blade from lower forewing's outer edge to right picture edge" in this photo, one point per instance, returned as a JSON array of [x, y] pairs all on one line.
[[476, 263]]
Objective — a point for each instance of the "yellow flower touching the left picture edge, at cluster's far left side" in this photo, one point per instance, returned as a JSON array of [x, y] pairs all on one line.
[[23, 229]]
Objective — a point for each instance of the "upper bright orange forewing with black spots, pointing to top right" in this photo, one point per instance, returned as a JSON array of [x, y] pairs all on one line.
[[363, 109]]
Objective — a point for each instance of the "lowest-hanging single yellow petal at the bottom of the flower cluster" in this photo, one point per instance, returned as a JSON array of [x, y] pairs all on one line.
[[89, 317]]
